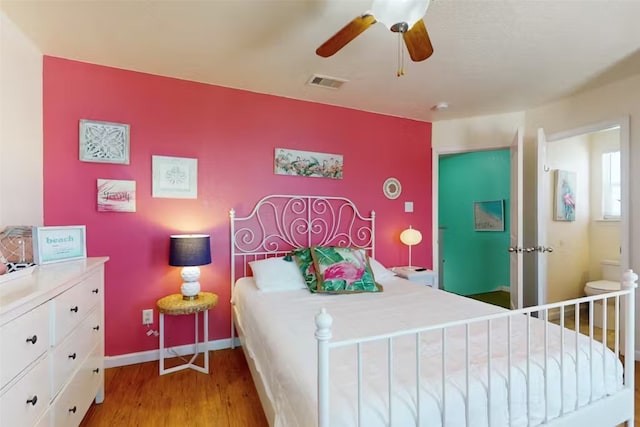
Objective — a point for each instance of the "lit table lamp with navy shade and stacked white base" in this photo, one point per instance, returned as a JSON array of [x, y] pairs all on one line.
[[190, 251]]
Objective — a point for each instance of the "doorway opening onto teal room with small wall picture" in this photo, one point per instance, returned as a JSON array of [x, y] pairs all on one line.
[[474, 195]]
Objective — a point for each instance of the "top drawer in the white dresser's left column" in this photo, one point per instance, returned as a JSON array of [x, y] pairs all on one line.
[[23, 340]]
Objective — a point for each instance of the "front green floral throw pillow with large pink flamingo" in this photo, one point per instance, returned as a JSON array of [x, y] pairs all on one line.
[[343, 270]]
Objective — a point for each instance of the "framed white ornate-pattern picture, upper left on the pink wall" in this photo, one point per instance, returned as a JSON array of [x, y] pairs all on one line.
[[104, 142]]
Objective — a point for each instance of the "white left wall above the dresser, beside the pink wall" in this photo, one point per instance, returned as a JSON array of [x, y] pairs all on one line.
[[21, 142]]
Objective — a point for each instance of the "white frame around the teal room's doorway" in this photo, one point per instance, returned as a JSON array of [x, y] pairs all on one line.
[[435, 180]]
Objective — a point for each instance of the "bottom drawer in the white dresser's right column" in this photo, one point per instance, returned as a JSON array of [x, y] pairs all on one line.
[[74, 400]]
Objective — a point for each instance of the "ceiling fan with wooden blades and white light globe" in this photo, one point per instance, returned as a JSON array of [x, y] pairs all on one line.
[[400, 16]]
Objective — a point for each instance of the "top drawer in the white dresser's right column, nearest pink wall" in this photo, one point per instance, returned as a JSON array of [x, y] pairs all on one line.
[[73, 305]]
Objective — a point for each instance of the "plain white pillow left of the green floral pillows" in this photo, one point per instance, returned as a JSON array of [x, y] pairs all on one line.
[[276, 274]]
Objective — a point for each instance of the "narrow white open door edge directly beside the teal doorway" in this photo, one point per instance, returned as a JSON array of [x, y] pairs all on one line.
[[515, 241]]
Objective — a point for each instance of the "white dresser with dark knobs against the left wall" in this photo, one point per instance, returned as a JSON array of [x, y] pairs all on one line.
[[52, 344]]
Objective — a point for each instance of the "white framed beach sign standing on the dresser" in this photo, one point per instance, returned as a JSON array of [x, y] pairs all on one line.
[[55, 244]]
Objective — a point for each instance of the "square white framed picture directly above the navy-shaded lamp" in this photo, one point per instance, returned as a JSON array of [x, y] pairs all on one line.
[[175, 177]]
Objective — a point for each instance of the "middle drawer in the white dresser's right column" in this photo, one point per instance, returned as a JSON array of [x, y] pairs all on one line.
[[73, 351]]
